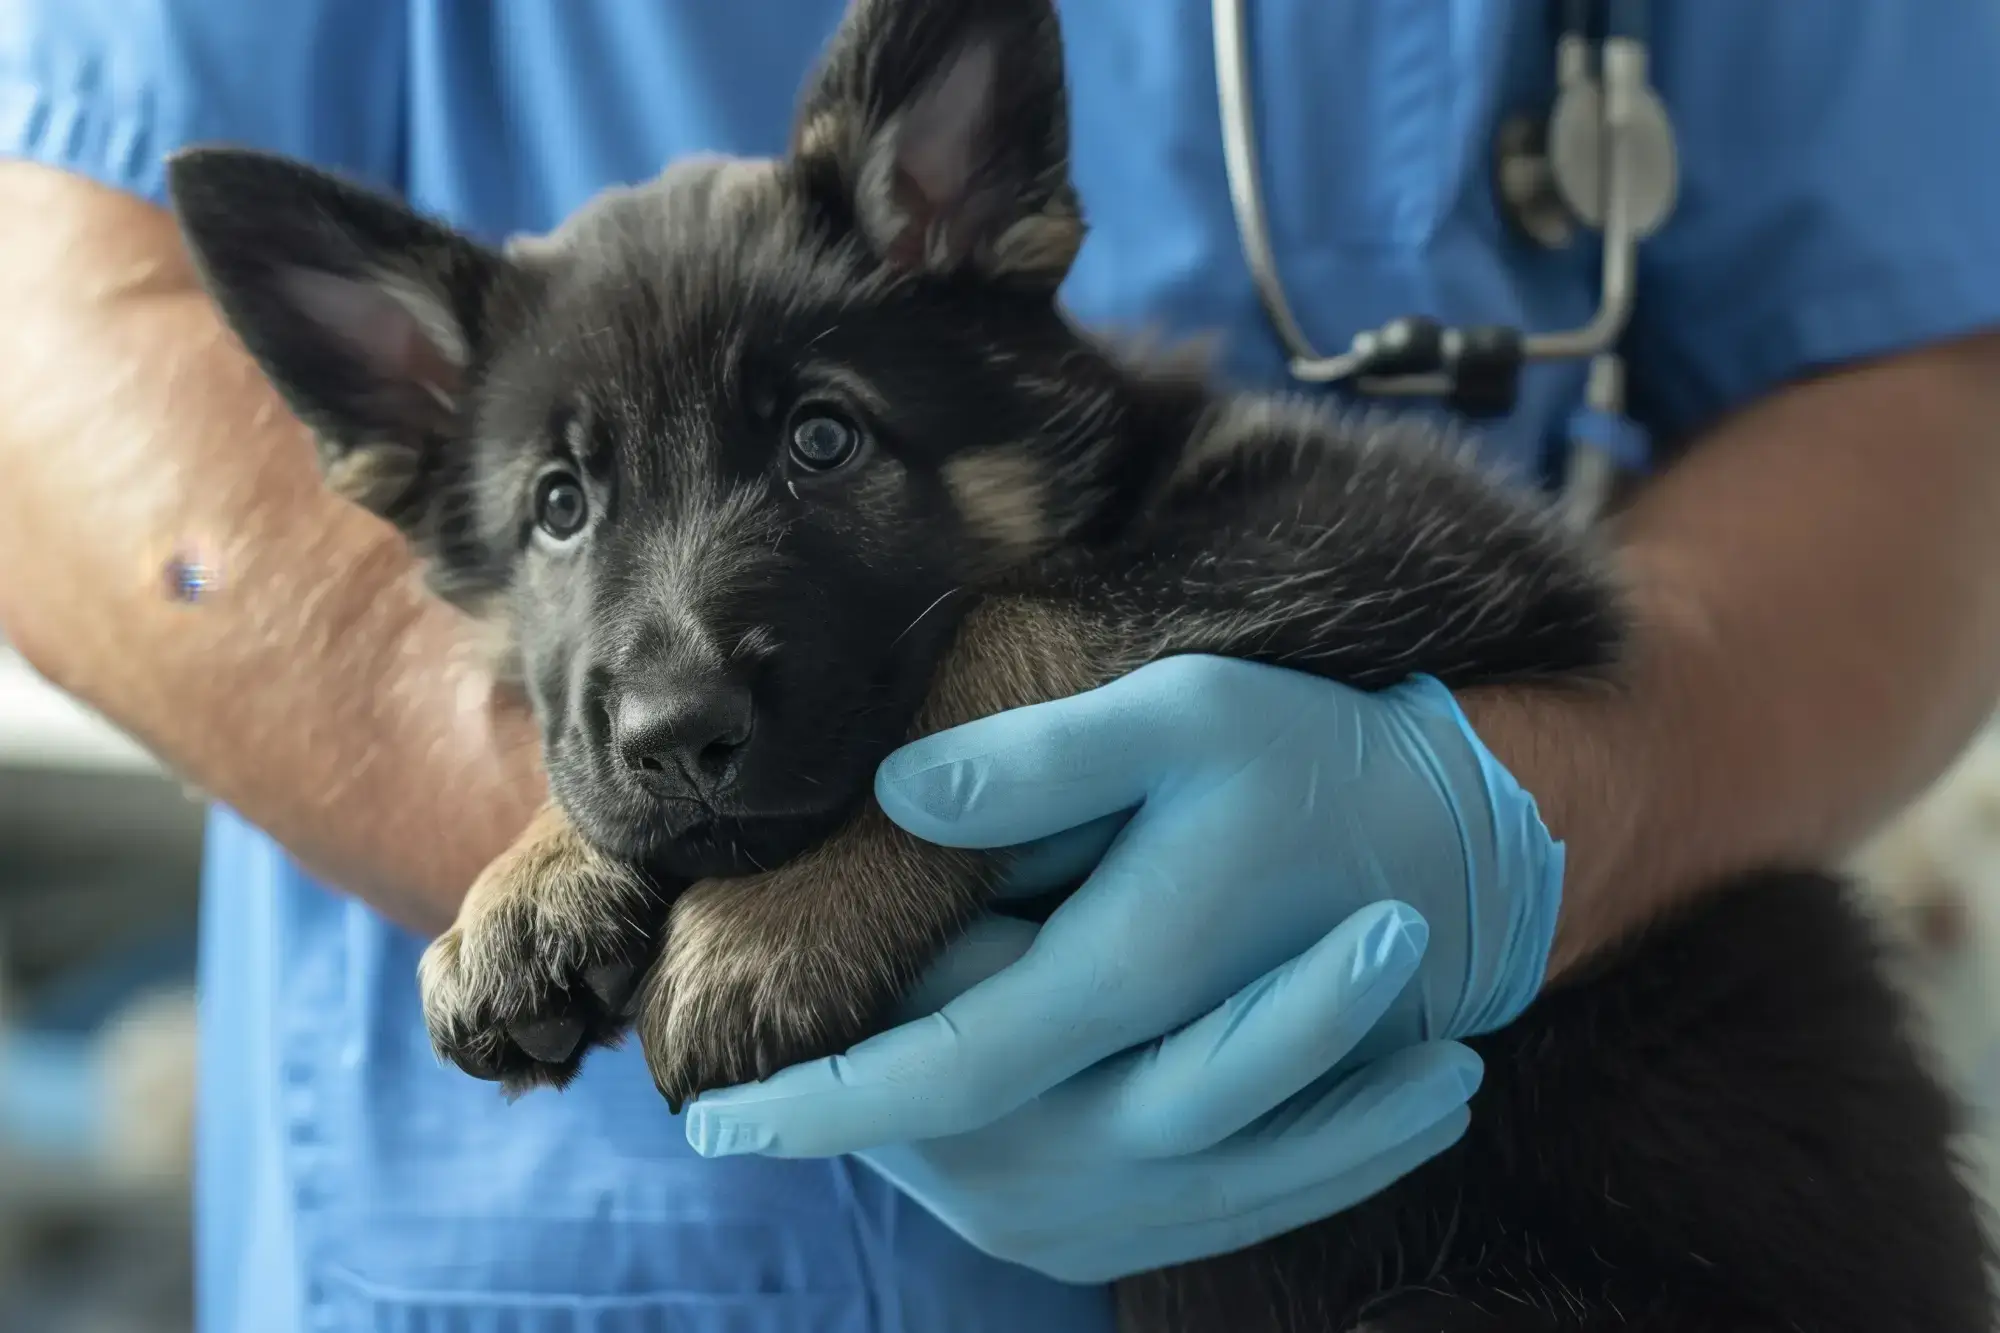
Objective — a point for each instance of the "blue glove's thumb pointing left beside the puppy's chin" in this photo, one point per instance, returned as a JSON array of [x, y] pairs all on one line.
[[1023, 776]]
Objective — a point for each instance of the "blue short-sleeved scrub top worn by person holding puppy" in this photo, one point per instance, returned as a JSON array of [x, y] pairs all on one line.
[[1841, 199]]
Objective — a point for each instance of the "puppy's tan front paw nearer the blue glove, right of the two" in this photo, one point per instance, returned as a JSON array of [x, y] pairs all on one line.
[[751, 980]]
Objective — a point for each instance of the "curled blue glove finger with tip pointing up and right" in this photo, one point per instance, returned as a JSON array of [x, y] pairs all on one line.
[[1267, 1044]]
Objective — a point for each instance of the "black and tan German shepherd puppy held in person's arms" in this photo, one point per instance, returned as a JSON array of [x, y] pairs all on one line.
[[771, 465]]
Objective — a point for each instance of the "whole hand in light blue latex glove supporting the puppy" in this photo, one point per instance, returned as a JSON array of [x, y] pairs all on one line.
[[1239, 1024]]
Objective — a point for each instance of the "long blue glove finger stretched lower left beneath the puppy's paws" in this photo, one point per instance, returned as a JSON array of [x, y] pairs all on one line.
[[995, 1048]]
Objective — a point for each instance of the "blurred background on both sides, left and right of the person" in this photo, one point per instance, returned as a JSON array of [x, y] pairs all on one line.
[[99, 876]]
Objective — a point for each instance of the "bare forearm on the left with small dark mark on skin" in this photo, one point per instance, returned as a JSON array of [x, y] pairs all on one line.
[[321, 692]]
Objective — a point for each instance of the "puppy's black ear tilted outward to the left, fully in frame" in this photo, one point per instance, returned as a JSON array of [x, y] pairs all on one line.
[[365, 315]]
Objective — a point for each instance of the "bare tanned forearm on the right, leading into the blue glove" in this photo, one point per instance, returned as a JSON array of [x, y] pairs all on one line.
[[1819, 591]]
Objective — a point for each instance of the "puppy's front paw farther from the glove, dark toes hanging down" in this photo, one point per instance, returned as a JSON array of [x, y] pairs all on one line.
[[543, 962]]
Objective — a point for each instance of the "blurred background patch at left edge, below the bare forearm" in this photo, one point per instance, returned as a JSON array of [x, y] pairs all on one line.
[[99, 874]]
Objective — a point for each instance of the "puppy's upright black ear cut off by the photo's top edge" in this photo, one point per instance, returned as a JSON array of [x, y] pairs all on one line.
[[941, 133]]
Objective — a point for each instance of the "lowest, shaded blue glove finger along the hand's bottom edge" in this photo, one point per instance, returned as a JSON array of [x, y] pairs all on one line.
[[1103, 1256]]
